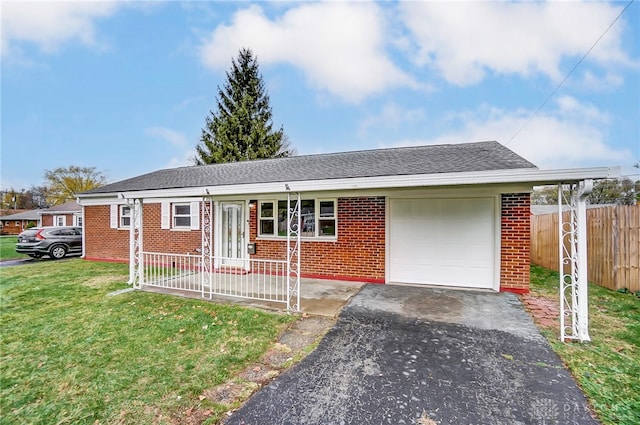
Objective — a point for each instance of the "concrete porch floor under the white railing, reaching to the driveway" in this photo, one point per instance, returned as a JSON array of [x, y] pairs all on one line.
[[317, 296]]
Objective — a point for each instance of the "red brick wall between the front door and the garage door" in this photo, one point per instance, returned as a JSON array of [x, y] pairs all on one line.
[[358, 254]]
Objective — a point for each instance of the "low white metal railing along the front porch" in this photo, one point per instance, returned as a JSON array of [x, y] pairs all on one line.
[[264, 280]]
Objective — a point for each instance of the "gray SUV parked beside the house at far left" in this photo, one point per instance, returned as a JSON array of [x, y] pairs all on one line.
[[55, 242]]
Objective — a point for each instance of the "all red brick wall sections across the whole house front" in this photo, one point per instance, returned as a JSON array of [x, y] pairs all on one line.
[[358, 253]]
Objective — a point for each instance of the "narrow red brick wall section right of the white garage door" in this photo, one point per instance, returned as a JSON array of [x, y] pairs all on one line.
[[515, 241]]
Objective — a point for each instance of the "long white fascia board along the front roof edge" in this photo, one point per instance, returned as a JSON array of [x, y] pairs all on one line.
[[532, 176]]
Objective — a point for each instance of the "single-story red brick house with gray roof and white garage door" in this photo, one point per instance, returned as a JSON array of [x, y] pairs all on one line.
[[452, 215]]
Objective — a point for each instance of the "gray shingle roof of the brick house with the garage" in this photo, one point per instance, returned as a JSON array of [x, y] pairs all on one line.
[[430, 159]]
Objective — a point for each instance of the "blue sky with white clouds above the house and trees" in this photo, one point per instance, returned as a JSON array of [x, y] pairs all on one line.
[[125, 86]]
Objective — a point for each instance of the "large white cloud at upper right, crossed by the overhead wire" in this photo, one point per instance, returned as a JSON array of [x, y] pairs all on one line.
[[465, 41]]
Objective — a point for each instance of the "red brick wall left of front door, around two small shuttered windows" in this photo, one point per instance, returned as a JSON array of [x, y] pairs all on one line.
[[103, 242]]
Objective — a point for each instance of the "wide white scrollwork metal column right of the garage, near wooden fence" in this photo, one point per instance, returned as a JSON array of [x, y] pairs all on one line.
[[572, 246]]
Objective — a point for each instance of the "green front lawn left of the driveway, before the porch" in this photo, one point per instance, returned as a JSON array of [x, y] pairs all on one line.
[[73, 355]]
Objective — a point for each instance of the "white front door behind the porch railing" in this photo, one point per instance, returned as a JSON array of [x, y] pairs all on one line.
[[232, 222]]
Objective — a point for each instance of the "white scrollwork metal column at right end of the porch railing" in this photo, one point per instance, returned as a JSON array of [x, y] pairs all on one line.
[[293, 251]]
